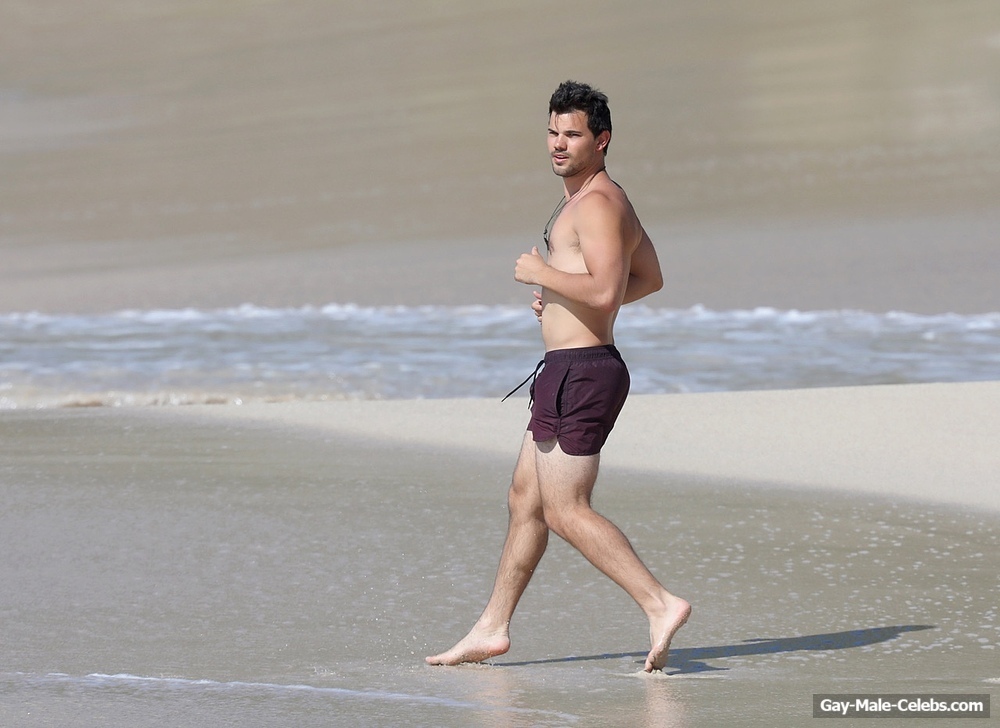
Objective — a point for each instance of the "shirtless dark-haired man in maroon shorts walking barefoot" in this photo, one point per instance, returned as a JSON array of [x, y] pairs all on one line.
[[599, 257]]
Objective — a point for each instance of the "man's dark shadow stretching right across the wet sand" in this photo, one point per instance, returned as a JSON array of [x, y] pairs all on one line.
[[692, 659]]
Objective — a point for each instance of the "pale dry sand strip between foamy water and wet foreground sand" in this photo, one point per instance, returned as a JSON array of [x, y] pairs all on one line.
[[933, 442]]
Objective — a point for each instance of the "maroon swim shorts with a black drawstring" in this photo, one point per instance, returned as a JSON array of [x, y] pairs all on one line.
[[577, 397]]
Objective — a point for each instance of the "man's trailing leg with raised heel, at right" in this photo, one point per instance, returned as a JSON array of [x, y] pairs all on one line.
[[566, 483]]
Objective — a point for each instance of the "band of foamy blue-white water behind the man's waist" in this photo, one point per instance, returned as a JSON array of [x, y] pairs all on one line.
[[344, 351]]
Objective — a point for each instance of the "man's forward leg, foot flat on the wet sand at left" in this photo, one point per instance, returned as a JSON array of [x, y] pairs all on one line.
[[527, 537]]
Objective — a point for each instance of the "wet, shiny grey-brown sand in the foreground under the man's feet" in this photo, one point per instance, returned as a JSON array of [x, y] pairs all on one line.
[[160, 570]]
